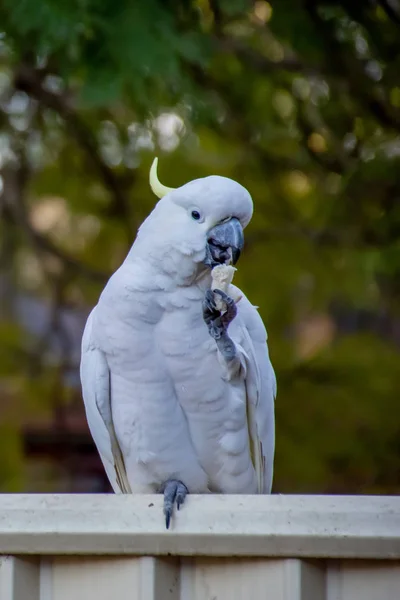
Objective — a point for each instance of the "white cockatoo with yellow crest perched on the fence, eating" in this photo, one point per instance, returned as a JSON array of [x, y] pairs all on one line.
[[177, 382]]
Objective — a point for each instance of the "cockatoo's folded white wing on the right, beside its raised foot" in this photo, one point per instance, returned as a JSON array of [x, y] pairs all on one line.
[[260, 390]]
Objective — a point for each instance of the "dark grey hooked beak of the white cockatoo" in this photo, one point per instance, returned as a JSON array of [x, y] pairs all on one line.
[[224, 241]]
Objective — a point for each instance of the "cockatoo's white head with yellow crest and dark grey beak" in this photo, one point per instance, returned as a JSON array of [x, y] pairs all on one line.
[[202, 220]]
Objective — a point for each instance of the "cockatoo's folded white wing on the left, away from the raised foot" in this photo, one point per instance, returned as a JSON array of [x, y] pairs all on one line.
[[95, 379]]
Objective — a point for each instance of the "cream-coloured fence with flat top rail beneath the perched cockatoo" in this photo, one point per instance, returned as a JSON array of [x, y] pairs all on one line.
[[106, 547]]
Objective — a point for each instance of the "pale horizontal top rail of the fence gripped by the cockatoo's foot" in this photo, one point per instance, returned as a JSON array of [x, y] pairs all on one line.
[[211, 525]]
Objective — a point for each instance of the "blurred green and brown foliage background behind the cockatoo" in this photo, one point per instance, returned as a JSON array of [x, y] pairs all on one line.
[[298, 100]]
